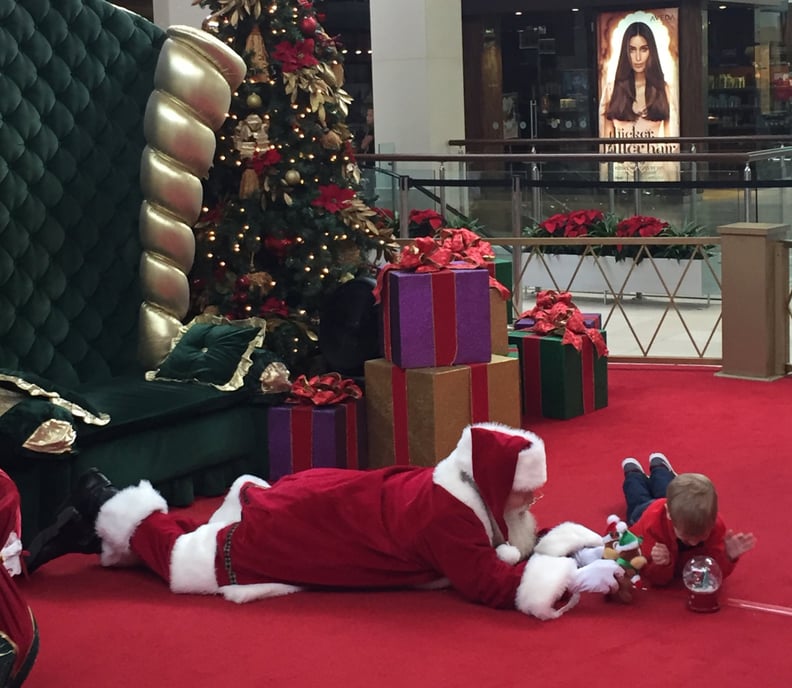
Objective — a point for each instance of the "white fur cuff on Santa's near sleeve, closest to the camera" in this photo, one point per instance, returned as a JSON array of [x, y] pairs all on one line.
[[544, 581]]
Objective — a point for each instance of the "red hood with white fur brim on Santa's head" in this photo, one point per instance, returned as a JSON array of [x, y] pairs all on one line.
[[504, 460]]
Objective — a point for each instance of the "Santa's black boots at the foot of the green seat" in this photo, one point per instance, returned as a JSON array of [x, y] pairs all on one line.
[[73, 530]]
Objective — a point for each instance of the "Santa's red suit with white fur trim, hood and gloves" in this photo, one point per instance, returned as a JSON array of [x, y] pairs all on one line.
[[392, 527]]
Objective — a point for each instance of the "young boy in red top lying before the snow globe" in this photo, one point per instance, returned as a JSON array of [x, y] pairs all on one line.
[[677, 517]]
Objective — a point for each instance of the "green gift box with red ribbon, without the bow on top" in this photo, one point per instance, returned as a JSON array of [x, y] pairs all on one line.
[[557, 380]]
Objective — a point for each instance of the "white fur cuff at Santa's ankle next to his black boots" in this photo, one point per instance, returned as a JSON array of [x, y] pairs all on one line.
[[120, 516]]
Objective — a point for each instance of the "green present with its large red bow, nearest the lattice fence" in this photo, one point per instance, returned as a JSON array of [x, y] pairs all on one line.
[[563, 359]]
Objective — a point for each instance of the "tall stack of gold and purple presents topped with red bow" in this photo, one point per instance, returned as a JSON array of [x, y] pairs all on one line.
[[442, 367]]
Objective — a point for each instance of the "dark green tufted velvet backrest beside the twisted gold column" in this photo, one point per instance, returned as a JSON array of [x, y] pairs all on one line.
[[75, 76]]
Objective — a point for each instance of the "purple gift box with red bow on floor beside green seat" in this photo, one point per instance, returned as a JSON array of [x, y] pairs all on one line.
[[321, 425]]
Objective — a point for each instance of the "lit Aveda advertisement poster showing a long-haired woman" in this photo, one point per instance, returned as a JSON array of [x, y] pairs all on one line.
[[638, 61]]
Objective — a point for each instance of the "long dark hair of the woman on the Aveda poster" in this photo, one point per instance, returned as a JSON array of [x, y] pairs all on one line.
[[621, 103]]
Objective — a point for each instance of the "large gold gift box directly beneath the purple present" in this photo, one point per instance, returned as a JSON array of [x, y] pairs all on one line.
[[421, 423]]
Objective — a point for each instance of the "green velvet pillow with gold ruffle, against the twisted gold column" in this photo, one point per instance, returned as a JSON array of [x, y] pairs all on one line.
[[211, 350]]
